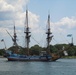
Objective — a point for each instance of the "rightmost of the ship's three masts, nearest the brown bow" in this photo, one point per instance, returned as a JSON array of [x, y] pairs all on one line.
[[49, 36]]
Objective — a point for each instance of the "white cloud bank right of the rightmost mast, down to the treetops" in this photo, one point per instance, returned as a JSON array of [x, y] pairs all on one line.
[[60, 29]]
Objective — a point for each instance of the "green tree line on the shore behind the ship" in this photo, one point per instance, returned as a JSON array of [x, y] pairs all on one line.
[[36, 49]]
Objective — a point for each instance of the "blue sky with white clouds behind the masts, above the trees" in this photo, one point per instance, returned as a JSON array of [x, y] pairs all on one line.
[[62, 21]]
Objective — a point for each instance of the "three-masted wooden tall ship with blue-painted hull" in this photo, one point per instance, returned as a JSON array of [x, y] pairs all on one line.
[[43, 56]]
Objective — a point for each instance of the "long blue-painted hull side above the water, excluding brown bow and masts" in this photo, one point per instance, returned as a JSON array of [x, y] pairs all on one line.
[[31, 58]]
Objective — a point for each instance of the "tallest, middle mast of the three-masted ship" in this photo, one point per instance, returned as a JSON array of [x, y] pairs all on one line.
[[27, 32]]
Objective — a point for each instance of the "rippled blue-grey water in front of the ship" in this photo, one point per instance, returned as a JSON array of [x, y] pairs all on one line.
[[60, 67]]
